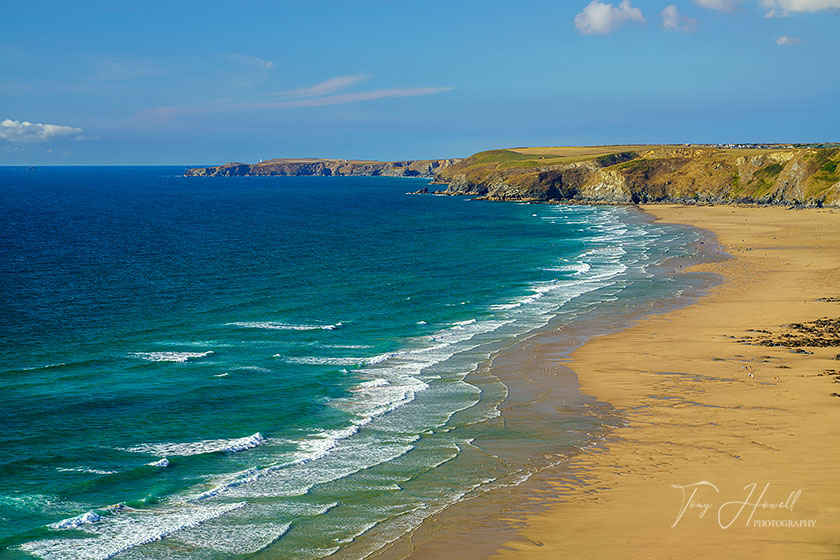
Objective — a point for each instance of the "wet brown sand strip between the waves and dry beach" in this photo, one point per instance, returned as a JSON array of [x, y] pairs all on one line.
[[536, 372]]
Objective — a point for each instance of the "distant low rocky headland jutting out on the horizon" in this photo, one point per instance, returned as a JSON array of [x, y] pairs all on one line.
[[324, 168]]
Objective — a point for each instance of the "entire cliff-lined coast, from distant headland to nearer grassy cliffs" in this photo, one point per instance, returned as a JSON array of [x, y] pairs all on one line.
[[770, 174]]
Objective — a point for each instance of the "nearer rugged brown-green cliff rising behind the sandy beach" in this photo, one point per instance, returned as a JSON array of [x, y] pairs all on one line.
[[786, 176]]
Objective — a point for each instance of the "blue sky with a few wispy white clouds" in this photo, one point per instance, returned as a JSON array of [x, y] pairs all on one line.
[[208, 82]]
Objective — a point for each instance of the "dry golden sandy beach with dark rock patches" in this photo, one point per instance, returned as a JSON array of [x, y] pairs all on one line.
[[729, 447]]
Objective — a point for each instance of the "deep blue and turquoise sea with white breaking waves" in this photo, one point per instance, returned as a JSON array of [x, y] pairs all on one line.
[[274, 367]]
